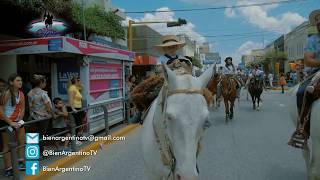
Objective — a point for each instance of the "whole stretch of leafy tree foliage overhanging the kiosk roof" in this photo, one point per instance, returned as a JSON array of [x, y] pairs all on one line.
[[96, 19]]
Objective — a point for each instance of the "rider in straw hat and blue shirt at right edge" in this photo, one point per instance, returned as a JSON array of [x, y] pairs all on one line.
[[307, 88]]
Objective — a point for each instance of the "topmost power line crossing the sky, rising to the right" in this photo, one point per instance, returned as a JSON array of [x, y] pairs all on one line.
[[214, 8]]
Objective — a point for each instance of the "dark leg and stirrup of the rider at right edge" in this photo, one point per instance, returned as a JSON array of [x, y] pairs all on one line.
[[299, 138]]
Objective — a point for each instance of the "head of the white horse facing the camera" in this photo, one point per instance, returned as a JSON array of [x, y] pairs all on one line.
[[185, 113]]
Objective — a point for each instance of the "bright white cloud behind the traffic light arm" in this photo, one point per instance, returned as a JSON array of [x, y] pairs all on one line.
[[187, 29]]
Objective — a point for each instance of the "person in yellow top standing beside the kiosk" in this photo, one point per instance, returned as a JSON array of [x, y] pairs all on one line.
[[75, 102]]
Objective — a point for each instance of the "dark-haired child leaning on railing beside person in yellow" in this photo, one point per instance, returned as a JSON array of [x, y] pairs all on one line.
[[60, 122]]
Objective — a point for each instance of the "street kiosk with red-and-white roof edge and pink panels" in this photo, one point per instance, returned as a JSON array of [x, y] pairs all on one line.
[[102, 71]]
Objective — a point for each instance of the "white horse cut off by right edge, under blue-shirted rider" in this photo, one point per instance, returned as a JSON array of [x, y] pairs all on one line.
[[311, 156]]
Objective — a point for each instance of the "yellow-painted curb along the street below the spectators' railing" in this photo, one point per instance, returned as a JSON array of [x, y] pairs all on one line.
[[68, 161]]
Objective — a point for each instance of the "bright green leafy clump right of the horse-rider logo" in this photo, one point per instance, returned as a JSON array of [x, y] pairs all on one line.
[[98, 21]]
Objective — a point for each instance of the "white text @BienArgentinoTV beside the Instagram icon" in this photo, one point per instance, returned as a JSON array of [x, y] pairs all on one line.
[[47, 153]]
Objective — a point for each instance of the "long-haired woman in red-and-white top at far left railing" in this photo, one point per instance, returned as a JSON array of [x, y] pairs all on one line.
[[12, 109]]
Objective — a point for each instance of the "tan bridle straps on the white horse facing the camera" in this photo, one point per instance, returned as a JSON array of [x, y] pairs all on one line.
[[160, 127]]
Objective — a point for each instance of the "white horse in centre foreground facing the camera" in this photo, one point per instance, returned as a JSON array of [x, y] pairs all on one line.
[[173, 127]]
